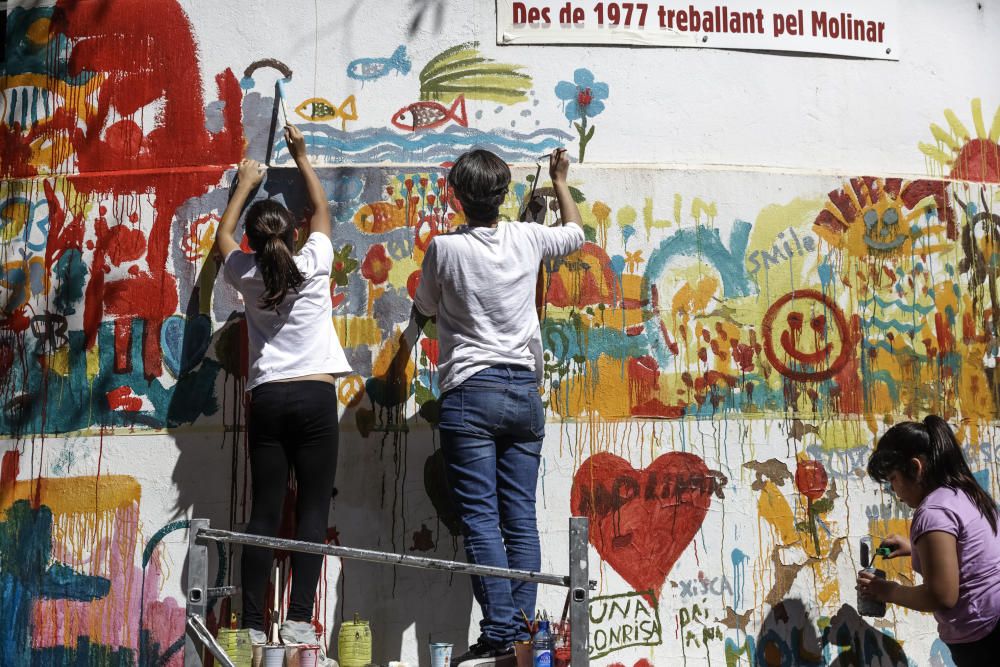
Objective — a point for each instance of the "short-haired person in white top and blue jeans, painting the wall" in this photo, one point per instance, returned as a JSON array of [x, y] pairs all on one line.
[[479, 283]]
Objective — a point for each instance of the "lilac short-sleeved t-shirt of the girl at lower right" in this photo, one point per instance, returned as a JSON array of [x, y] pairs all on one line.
[[978, 609]]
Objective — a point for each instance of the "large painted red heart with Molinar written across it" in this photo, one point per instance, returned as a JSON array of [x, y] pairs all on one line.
[[642, 520]]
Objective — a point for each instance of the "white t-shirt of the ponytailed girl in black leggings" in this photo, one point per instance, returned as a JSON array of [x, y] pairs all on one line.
[[298, 339]]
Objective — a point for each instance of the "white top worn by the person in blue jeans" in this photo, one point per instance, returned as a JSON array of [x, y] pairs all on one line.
[[480, 284]]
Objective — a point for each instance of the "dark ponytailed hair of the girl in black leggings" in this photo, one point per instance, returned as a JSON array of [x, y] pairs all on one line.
[[271, 231]]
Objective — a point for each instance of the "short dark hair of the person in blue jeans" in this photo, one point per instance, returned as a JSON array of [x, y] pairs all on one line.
[[480, 181]]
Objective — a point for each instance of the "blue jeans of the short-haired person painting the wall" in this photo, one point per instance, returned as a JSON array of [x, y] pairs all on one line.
[[492, 426]]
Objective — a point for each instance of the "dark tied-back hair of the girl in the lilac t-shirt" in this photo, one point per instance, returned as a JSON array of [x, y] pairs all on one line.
[[934, 442]]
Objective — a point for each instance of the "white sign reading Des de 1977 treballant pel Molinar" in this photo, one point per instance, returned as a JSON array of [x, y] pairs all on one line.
[[837, 27]]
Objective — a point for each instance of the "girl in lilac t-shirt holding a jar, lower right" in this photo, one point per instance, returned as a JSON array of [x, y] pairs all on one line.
[[954, 543]]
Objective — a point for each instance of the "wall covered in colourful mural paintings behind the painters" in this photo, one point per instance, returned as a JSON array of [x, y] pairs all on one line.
[[720, 355]]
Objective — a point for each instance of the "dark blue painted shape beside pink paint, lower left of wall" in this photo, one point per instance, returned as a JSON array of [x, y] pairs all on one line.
[[27, 573]]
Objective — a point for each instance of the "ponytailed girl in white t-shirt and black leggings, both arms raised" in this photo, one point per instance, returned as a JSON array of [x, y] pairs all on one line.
[[294, 357]]
